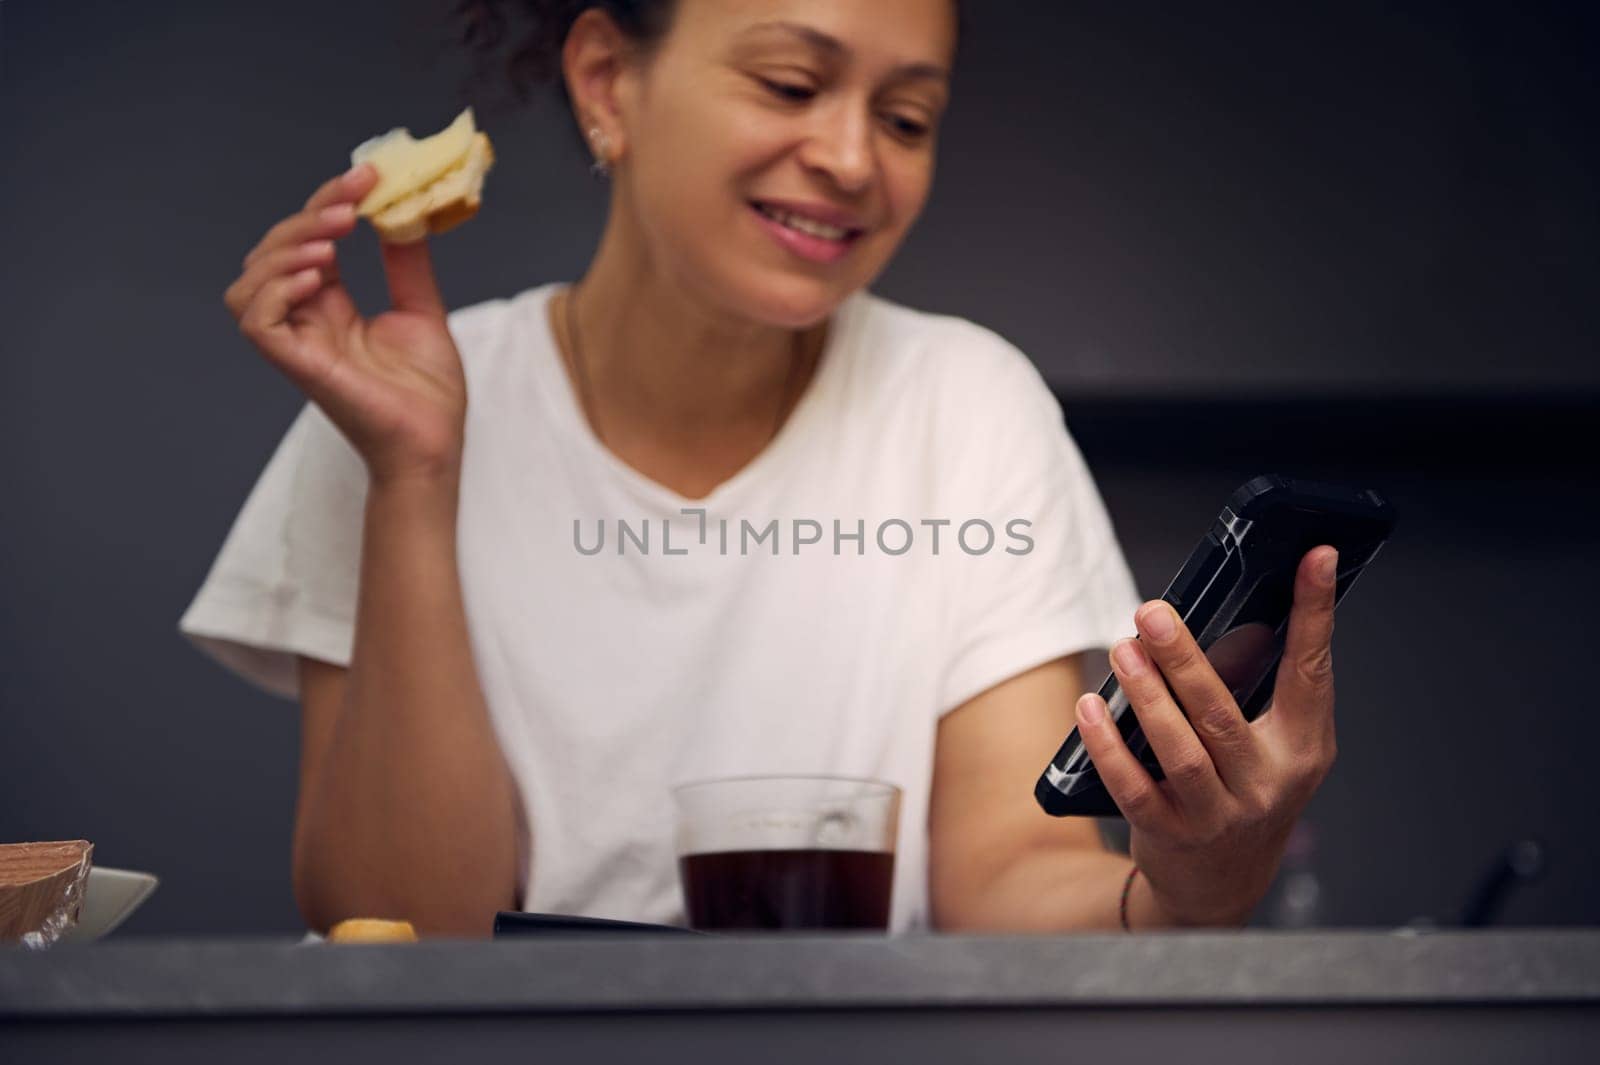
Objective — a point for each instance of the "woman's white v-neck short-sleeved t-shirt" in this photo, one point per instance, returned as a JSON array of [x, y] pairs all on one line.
[[708, 645]]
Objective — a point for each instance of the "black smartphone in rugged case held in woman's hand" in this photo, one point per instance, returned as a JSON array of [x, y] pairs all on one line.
[[1234, 594]]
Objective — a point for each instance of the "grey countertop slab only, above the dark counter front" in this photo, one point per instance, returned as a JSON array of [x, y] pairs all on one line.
[[273, 978]]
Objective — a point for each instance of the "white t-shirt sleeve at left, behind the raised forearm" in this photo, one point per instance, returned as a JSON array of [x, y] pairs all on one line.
[[286, 581]]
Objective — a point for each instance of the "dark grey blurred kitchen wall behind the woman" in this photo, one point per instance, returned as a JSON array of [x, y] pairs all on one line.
[[1354, 241]]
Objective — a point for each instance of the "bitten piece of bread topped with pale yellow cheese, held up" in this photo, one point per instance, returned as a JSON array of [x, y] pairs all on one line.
[[426, 186]]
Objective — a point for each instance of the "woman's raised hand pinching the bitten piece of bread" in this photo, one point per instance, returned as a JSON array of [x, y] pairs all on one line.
[[394, 383]]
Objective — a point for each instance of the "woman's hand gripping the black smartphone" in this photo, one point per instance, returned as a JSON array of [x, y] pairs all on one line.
[[1209, 839]]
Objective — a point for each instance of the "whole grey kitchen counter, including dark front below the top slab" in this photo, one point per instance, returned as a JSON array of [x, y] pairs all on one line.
[[1492, 995]]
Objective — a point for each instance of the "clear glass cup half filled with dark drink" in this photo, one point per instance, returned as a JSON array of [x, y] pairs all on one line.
[[788, 853]]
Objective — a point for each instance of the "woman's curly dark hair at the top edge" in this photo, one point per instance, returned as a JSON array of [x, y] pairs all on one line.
[[537, 57]]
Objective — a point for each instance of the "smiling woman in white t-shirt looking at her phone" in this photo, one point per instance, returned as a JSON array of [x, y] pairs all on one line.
[[497, 696]]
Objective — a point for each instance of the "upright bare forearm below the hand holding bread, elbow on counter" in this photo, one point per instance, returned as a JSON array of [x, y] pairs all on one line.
[[412, 812]]
